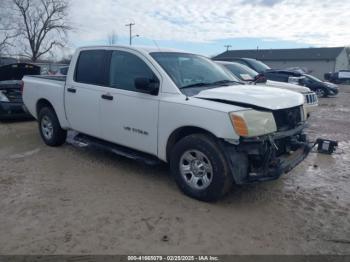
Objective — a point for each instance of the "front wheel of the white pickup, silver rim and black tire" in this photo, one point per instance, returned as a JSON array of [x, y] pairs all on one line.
[[216, 177]]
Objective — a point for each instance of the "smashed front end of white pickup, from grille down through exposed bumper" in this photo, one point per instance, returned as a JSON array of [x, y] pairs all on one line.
[[267, 157]]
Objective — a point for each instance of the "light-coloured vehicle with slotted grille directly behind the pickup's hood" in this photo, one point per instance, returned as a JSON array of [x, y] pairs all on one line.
[[249, 76]]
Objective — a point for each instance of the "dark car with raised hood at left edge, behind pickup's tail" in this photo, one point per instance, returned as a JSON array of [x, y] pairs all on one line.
[[11, 103]]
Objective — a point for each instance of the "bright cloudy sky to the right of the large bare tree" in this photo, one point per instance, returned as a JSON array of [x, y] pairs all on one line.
[[204, 26]]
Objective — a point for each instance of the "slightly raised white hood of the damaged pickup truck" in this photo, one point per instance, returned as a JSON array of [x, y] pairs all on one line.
[[255, 96]]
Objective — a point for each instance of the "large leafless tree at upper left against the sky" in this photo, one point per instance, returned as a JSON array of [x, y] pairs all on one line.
[[43, 25]]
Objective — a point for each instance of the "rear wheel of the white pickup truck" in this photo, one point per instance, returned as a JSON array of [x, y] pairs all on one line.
[[50, 128]]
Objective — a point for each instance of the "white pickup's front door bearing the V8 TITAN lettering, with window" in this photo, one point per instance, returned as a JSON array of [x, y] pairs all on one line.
[[129, 117]]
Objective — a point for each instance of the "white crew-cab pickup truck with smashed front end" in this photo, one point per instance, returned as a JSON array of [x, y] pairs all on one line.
[[176, 107]]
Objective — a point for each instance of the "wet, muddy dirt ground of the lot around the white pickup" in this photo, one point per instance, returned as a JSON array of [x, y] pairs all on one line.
[[71, 200]]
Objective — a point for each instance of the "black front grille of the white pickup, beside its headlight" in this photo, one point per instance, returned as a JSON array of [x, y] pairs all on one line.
[[289, 118]]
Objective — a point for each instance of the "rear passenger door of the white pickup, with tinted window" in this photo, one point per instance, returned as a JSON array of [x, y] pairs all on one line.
[[83, 94]]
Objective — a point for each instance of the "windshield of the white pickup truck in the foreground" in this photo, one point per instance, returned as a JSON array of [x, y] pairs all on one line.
[[190, 71]]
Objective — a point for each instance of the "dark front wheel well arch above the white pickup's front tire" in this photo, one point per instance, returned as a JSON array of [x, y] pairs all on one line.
[[182, 132]]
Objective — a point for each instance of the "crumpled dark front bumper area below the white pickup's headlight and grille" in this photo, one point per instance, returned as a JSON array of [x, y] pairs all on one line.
[[266, 158]]
